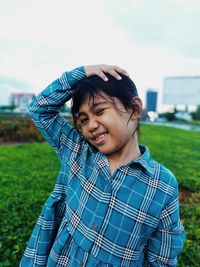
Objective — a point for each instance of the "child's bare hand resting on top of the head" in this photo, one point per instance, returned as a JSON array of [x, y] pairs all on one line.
[[102, 69]]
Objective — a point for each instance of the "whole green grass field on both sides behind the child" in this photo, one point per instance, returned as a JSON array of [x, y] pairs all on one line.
[[28, 173]]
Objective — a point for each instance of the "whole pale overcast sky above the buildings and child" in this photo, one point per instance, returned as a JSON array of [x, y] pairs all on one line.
[[40, 39]]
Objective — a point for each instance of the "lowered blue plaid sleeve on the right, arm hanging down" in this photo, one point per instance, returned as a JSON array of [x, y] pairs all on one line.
[[168, 239]]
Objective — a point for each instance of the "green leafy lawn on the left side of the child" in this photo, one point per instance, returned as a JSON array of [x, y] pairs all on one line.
[[27, 175]]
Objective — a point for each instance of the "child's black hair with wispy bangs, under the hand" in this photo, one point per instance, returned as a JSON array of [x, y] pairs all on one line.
[[124, 90]]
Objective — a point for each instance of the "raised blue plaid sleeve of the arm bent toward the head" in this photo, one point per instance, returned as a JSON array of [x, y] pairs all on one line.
[[45, 107]]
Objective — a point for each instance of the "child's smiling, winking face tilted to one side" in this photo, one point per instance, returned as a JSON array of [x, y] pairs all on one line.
[[107, 125]]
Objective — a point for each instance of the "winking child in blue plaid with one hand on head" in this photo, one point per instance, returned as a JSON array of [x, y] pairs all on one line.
[[112, 204]]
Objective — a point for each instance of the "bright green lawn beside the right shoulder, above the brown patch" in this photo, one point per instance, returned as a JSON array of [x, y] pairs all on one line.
[[178, 150]]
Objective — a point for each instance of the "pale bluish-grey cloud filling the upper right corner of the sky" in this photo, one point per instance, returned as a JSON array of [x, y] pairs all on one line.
[[172, 23]]
